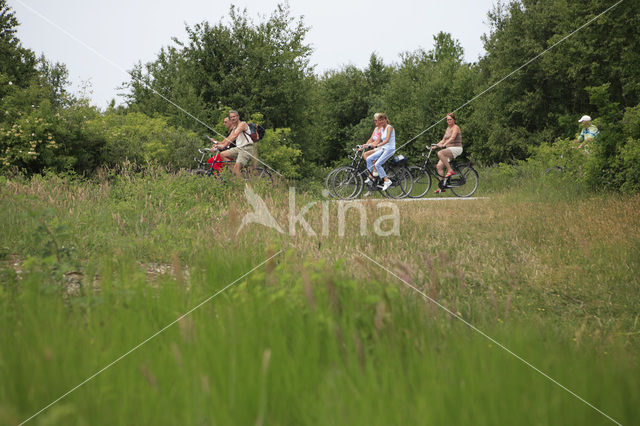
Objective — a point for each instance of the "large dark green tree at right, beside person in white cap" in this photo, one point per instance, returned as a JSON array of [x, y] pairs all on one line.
[[544, 99]]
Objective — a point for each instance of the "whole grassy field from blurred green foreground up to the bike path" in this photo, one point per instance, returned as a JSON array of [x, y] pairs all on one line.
[[319, 334]]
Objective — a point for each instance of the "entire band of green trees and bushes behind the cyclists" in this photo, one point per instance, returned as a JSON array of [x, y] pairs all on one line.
[[543, 68]]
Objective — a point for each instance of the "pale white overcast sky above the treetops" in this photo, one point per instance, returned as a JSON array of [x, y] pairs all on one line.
[[124, 32]]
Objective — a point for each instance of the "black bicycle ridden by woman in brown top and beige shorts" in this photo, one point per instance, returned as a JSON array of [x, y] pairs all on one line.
[[463, 184]]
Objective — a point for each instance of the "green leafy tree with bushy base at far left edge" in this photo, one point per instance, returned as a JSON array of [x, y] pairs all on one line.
[[40, 126]]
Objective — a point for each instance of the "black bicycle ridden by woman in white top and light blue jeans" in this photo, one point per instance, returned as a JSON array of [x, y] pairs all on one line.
[[347, 182]]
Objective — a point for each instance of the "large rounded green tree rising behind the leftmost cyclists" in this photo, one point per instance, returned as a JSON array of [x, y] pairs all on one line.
[[252, 67]]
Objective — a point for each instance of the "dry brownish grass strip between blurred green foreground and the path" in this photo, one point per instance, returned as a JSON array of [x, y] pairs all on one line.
[[572, 260]]
